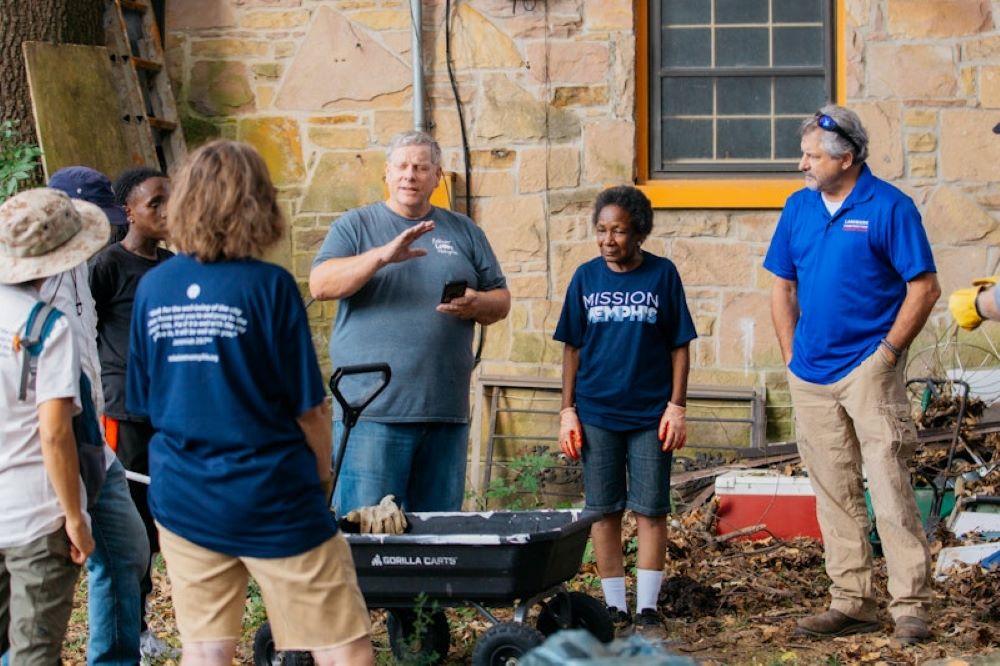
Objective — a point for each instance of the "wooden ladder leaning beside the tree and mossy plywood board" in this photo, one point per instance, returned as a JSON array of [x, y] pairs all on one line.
[[150, 112]]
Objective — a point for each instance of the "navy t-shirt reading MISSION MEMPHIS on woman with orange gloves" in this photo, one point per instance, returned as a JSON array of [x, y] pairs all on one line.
[[625, 325]]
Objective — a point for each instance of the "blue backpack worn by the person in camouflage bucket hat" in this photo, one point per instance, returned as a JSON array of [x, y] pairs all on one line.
[[89, 443]]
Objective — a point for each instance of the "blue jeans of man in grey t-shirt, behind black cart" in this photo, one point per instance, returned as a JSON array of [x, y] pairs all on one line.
[[422, 464]]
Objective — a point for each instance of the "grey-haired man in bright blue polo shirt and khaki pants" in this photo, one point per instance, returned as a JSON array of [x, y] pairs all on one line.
[[854, 283]]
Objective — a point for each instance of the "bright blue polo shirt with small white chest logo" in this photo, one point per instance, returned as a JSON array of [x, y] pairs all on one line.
[[851, 271]]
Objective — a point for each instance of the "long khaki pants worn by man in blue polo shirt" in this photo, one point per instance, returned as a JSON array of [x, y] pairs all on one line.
[[864, 418]]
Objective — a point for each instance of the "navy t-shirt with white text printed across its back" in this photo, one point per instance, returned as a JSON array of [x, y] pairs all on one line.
[[222, 363]]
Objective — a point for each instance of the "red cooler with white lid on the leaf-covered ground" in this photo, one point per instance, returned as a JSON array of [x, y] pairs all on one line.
[[785, 504]]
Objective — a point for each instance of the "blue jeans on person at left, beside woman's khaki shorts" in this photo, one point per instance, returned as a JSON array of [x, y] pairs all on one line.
[[114, 569]]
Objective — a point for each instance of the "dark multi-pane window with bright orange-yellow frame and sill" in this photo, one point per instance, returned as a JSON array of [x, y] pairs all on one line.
[[723, 87]]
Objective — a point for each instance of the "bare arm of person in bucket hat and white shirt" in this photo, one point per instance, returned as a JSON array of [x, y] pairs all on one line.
[[55, 427]]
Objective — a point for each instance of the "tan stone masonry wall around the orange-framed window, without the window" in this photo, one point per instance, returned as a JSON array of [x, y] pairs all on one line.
[[548, 89]]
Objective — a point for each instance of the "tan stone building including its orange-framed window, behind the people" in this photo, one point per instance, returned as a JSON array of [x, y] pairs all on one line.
[[557, 98]]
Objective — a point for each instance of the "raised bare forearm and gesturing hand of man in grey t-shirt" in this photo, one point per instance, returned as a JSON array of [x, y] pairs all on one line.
[[343, 276]]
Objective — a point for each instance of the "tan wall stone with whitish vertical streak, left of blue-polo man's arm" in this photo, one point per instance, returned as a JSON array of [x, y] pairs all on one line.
[[746, 335]]
